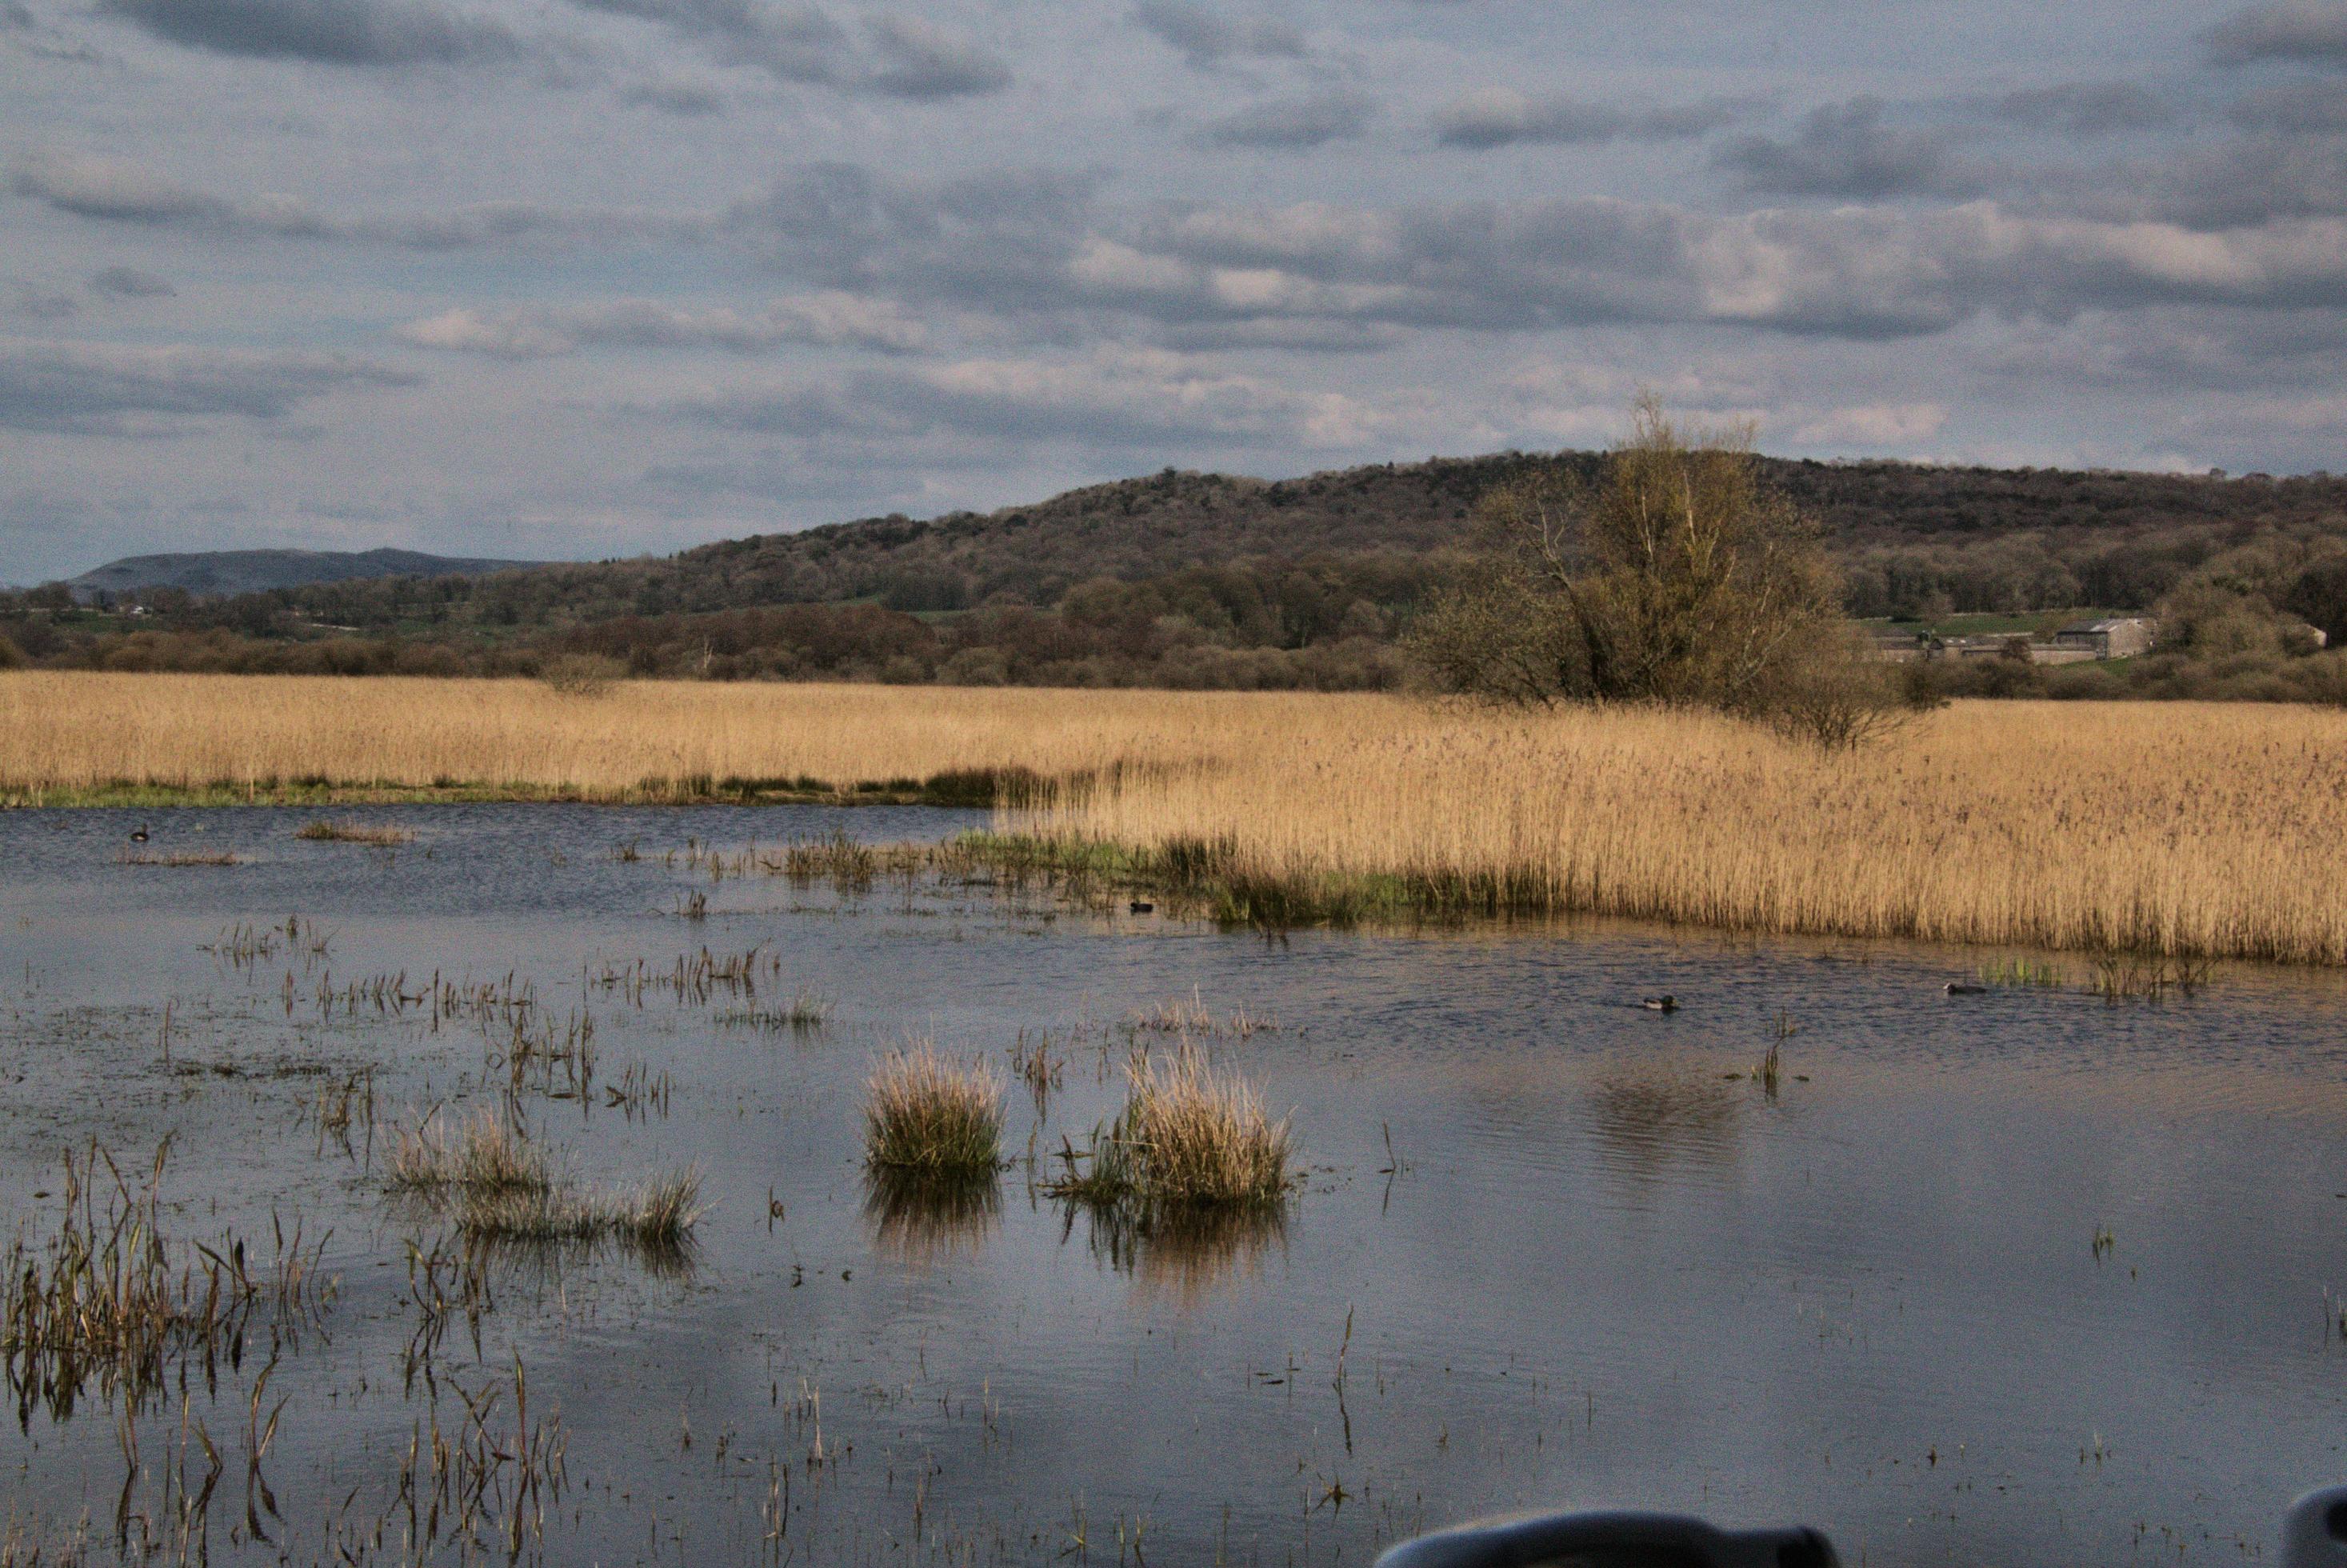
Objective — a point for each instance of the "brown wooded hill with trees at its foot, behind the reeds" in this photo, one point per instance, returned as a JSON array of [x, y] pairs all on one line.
[[1222, 581]]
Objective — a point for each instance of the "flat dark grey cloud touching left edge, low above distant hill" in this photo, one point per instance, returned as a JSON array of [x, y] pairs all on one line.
[[81, 391]]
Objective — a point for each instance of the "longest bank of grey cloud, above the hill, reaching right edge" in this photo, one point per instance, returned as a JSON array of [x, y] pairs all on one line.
[[1853, 273]]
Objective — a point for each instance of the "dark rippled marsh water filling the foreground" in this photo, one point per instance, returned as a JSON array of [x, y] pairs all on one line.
[[2008, 1278]]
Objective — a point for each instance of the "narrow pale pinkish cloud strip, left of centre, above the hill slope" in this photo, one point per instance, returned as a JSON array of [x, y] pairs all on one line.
[[564, 330]]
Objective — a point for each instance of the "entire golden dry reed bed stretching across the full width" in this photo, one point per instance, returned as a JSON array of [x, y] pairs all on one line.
[[2191, 830]]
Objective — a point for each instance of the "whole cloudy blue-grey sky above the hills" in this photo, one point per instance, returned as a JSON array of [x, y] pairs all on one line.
[[600, 278]]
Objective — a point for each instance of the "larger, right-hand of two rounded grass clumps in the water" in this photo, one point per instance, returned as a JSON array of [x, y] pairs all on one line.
[[1191, 1137]]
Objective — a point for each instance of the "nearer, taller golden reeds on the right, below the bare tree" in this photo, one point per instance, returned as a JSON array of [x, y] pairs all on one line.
[[2165, 830]]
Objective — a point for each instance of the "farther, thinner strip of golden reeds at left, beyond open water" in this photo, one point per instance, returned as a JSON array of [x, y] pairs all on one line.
[[69, 736]]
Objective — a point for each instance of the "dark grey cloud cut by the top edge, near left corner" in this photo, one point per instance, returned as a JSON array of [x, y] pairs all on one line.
[[327, 32]]
